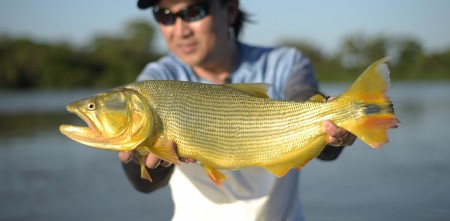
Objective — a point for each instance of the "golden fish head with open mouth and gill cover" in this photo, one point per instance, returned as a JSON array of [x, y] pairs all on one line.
[[119, 119]]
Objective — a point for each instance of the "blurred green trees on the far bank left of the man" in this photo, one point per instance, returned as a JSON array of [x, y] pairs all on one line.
[[107, 61]]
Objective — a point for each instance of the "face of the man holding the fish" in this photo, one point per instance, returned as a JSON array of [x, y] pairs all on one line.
[[198, 42]]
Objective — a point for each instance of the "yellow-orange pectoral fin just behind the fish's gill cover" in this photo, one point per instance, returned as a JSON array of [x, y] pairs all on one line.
[[164, 149]]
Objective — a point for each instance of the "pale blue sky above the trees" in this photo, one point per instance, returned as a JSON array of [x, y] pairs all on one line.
[[325, 23]]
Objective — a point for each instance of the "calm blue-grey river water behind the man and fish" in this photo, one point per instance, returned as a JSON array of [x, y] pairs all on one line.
[[46, 176]]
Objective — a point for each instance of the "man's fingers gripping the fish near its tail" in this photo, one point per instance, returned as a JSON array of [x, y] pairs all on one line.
[[338, 136]]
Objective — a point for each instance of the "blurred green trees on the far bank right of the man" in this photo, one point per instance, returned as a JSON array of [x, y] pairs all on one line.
[[409, 60]]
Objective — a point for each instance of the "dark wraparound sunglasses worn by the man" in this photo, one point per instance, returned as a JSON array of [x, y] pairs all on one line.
[[193, 12]]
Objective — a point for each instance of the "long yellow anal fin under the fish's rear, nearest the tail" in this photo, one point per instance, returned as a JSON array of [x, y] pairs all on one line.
[[297, 159]]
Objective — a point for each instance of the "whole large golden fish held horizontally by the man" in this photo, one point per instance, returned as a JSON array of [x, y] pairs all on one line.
[[230, 126]]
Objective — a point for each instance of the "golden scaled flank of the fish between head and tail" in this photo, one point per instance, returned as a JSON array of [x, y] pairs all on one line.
[[233, 131]]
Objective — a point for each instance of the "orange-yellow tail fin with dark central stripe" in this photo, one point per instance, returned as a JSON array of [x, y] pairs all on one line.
[[377, 112]]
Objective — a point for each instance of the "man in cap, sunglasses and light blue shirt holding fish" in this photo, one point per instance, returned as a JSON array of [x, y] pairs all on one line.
[[203, 39]]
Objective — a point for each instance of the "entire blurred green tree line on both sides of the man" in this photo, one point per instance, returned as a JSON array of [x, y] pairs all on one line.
[[109, 61]]
